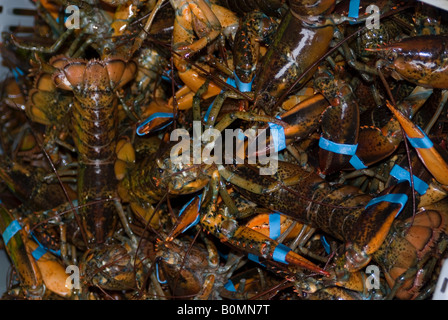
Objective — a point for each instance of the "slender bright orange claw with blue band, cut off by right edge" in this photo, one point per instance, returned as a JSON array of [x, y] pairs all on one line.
[[433, 157]]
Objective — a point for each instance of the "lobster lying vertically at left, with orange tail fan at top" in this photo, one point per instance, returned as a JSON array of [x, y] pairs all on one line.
[[94, 125]]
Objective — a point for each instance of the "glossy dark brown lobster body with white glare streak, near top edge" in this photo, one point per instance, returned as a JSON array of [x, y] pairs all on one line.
[[273, 79]]
